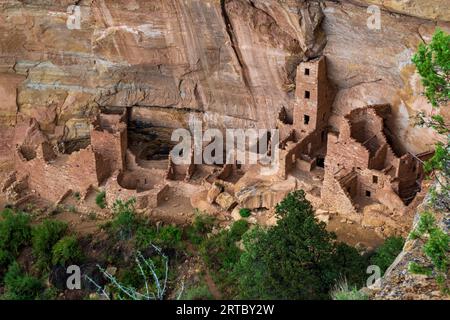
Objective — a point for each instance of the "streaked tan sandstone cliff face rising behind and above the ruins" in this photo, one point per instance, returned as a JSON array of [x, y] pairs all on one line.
[[231, 62]]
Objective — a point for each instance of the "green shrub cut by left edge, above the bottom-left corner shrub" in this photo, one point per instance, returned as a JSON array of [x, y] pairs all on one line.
[[15, 233]]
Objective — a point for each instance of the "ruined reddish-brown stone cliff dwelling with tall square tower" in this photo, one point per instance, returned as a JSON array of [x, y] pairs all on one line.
[[347, 170]]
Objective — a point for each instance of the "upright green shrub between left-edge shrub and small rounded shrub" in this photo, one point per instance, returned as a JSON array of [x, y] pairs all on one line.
[[45, 236]]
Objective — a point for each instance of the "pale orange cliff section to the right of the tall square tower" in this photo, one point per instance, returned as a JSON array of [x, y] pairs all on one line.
[[374, 66]]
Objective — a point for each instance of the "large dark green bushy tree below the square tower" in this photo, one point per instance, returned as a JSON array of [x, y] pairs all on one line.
[[296, 259]]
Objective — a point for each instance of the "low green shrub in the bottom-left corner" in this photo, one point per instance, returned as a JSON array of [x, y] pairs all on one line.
[[20, 286]]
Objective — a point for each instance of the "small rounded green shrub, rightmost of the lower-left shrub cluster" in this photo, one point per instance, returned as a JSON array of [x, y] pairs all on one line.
[[66, 251]]
